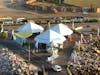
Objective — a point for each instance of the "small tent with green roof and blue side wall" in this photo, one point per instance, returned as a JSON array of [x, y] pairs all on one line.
[[21, 37]]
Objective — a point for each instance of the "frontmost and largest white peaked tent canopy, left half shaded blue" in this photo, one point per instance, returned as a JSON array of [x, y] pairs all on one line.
[[49, 36]]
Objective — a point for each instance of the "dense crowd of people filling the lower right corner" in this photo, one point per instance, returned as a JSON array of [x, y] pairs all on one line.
[[86, 61]]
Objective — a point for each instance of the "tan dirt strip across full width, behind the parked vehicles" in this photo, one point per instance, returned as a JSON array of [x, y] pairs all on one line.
[[16, 10]]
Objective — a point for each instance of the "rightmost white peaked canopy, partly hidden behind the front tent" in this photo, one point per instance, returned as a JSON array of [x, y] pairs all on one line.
[[62, 29]]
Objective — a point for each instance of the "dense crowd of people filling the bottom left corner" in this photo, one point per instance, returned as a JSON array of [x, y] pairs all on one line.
[[12, 64]]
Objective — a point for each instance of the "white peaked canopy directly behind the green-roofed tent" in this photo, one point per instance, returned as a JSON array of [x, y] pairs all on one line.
[[30, 27]]
